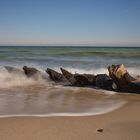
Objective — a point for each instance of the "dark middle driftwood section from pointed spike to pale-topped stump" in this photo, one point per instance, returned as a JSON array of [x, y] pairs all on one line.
[[101, 80]]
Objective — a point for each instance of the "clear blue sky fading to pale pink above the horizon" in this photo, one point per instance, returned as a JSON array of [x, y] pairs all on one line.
[[70, 22]]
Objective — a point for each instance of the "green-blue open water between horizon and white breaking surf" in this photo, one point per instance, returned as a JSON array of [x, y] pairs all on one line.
[[66, 56]]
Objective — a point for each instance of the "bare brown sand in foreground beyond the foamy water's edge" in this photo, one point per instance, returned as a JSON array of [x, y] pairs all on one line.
[[121, 124]]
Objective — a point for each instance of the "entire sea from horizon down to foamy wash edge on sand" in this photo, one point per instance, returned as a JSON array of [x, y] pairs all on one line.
[[22, 96]]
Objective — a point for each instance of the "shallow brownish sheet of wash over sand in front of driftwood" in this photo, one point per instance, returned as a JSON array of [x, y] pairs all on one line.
[[42, 99]]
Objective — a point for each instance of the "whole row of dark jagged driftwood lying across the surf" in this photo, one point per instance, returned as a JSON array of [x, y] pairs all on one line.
[[118, 80]]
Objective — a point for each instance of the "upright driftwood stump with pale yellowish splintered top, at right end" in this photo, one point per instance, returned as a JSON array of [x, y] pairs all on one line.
[[124, 81]]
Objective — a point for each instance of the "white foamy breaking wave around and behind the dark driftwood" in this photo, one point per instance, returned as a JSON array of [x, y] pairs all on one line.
[[8, 80]]
